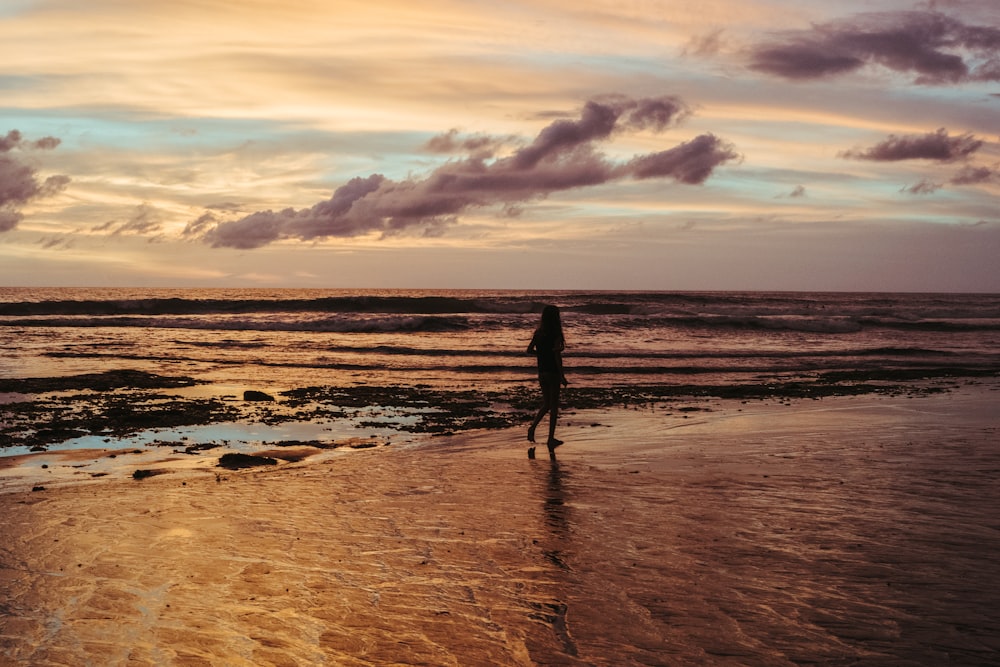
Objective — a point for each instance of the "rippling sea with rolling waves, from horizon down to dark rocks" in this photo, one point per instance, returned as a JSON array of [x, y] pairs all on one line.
[[279, 339]]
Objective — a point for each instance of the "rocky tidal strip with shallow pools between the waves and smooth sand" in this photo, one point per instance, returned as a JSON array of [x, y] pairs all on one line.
[[191, 432]]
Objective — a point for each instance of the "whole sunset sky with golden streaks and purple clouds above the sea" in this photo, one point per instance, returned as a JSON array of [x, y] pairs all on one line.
[[536, 144]]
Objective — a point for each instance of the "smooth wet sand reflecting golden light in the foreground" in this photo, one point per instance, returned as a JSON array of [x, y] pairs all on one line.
[[852, 530]]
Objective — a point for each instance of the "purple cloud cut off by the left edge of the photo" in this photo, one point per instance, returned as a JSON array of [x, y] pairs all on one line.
[[19, 182]]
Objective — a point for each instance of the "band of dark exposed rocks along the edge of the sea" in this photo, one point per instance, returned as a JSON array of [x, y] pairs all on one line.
[[42, 412]]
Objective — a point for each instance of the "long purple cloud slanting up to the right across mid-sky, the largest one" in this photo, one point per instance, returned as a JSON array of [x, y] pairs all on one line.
[[563, 156]]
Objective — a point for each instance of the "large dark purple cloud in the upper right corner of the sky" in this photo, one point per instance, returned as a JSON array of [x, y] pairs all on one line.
[[936, 48]]
